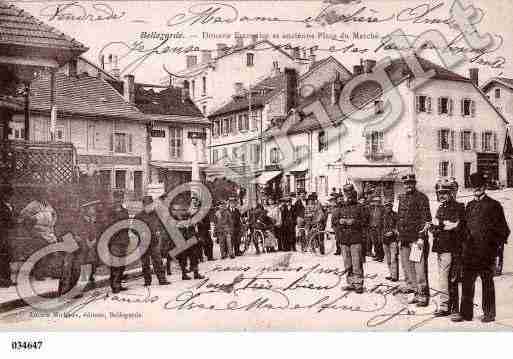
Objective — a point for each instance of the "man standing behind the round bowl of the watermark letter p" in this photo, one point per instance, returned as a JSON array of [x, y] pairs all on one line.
[[179, 210]]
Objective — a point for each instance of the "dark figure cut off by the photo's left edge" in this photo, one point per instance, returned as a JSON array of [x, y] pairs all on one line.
[[6, 222]]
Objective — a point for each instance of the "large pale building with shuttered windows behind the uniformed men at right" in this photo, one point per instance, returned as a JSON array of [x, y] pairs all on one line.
[[445, 128]]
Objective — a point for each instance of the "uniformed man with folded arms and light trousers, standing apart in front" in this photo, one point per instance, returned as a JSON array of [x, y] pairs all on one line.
[[349, 221]]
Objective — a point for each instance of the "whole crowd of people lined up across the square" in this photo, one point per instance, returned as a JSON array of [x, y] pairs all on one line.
[[468, 240]]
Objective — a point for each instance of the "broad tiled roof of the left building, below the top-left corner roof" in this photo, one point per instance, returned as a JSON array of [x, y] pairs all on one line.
[[83, 95]]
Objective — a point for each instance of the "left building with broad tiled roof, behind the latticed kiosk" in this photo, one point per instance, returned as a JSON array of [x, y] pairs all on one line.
[[108, 132]]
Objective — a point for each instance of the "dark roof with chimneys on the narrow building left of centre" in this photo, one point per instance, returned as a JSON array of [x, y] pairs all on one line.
[[165, 102]]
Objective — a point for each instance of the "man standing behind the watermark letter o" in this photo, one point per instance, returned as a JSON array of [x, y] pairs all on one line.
[[119, 242]]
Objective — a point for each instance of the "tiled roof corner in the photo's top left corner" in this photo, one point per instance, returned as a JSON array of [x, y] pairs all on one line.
[[18, 27]]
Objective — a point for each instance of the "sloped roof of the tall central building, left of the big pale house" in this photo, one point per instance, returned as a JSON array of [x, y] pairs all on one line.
[[269, 86]]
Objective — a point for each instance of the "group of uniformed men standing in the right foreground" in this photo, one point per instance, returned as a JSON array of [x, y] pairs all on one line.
[[467, 241]]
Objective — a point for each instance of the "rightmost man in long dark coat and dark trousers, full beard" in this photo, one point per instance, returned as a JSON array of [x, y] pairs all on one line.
[[487, 229]]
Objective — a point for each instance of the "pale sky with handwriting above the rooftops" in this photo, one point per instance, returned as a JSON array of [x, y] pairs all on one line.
[[116, 27]]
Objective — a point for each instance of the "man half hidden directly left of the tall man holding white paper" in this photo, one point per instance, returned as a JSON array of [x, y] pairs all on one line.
[[390, 245]]
